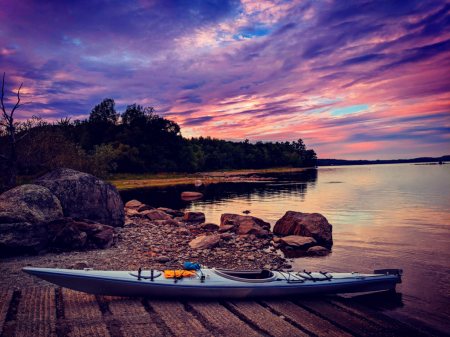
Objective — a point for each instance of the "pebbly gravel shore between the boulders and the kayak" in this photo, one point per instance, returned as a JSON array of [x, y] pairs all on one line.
[[149, 245]]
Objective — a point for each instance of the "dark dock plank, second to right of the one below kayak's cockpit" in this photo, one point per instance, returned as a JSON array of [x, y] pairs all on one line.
[[341, 318]]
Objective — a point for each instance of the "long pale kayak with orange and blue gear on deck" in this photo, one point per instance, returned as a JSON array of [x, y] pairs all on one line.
[[217, 282]]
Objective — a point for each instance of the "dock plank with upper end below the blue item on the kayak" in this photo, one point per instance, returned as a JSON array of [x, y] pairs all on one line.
[[223, 321]]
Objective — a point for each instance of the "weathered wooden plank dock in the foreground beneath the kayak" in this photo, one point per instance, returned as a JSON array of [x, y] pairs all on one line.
[[43, 311]]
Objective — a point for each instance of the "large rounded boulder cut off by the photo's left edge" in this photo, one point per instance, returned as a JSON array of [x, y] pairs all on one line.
[[24, 211]]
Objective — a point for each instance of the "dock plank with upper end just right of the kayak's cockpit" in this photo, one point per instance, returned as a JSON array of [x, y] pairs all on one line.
[[304, 318]]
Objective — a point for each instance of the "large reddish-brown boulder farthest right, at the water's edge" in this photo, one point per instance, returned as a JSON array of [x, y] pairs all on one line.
[[305, 224]]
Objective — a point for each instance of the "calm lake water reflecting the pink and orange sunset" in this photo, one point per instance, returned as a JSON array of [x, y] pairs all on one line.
[[383, 216]]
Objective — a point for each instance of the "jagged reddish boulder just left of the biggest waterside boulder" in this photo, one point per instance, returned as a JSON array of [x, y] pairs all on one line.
[[244, 224]]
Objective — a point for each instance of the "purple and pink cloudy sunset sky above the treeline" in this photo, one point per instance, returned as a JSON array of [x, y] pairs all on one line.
[[353, 79]]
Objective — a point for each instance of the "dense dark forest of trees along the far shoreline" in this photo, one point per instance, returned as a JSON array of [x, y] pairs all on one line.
[[139, 141]]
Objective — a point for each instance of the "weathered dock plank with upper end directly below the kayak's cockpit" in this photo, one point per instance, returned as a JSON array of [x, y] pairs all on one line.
[[264, 319]]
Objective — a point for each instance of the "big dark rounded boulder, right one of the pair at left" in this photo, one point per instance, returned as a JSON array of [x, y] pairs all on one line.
[[84, 196]]
